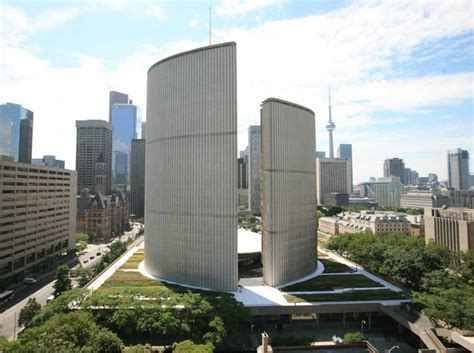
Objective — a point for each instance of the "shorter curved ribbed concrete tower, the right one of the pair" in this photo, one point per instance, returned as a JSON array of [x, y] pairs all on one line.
[[288, 192]]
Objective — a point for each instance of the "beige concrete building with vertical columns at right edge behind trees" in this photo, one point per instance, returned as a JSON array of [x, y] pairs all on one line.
[[453, 227]]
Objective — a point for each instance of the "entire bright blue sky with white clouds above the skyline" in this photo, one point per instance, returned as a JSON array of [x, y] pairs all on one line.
[[401, 73]]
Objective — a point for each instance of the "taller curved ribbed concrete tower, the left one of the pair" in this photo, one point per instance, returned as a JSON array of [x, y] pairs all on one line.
[[191, 174]]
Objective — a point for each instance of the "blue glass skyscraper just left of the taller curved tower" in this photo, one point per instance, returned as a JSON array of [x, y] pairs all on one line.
[[126, 123]]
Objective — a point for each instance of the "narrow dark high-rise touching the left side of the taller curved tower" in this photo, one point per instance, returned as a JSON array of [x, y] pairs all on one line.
[[137, 178]]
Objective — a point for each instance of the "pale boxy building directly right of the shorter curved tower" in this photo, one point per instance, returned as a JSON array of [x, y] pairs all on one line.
[[331, 177]]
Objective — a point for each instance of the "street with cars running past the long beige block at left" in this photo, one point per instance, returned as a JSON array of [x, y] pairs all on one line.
[[7, 318]]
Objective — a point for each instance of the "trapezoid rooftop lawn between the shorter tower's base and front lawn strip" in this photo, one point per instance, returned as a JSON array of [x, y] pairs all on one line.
[[330, 282]]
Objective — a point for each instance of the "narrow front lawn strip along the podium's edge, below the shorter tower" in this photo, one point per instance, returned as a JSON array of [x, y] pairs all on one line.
[[380, 294]]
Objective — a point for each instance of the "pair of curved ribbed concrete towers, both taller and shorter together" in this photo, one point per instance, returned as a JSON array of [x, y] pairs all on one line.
[[191, 176]]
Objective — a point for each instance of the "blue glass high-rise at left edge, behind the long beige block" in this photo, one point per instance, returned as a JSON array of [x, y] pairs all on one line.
[[16, 132]]
